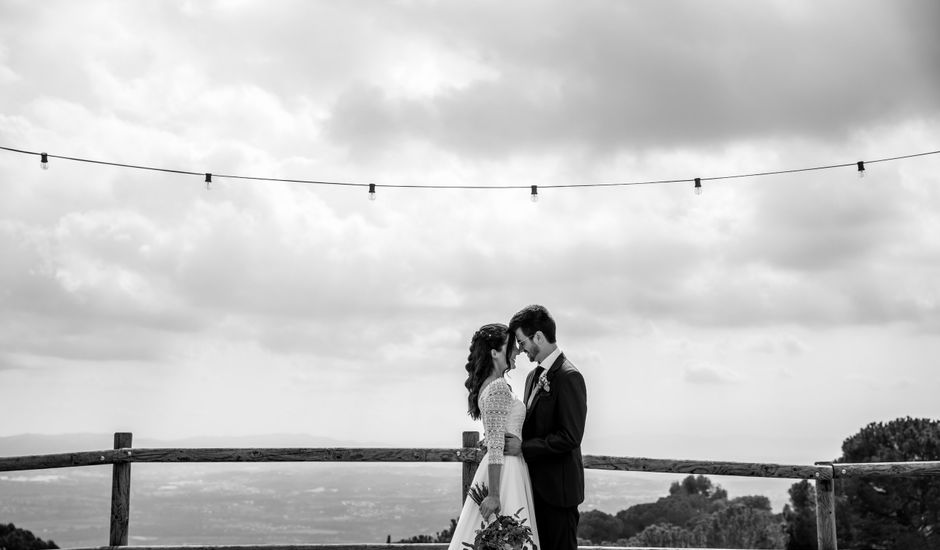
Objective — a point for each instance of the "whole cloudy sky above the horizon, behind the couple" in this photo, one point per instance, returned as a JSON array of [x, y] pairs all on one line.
[[766, 319]]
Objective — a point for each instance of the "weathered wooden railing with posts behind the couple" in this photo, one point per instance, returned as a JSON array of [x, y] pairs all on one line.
[[124, 454]]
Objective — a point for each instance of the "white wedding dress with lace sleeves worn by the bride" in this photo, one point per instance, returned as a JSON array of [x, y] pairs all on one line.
[[502, 413]]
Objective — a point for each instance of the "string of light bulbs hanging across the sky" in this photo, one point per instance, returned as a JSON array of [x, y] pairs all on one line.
[[534, 189]]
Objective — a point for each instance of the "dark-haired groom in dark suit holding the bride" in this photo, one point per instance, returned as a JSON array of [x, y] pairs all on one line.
[[556, 401]]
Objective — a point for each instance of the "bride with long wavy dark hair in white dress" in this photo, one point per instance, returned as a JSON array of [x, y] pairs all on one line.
[[493, 354]]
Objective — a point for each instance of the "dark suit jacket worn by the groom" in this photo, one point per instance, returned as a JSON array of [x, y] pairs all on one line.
[[552, 432]]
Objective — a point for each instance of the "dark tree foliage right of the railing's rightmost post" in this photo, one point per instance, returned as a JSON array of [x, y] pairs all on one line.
[[891, 512]]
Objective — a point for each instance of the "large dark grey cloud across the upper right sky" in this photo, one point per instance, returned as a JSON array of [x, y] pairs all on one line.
[[647, 77]]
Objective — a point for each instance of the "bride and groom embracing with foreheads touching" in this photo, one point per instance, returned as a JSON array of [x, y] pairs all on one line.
[[533, 458]]
